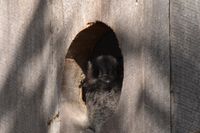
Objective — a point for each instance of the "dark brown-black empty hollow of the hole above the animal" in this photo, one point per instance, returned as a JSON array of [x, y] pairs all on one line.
[[96, 40]]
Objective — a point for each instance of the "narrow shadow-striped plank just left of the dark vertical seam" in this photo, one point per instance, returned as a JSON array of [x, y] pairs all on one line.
[[156, 89]]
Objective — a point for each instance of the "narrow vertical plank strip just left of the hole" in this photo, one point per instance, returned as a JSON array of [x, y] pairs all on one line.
[[58, 34]]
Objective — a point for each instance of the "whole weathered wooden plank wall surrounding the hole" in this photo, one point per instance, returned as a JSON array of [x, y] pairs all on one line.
[[160, 44]]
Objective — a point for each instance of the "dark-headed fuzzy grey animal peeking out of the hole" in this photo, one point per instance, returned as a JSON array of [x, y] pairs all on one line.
[[101, 90]]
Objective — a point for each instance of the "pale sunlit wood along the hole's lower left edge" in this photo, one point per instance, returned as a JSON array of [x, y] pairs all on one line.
[[72, 109]]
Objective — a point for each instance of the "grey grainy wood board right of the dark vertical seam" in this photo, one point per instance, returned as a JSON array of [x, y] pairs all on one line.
[[185, 62]]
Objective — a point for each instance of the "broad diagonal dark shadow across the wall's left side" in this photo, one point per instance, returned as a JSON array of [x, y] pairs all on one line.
[[27, 109]]
